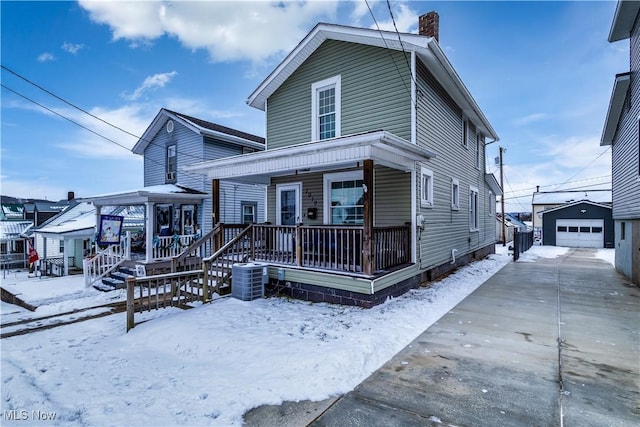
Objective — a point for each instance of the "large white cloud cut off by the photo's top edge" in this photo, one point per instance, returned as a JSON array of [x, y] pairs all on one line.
[[243, 30]]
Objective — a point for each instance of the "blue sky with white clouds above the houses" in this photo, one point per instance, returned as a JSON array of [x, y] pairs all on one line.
[[542, 72]]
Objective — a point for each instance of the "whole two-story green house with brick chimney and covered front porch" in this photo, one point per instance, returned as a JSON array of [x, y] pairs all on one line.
[[375, 166]]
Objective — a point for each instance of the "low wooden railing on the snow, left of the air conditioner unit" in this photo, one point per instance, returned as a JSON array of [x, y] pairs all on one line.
[[162, 291]]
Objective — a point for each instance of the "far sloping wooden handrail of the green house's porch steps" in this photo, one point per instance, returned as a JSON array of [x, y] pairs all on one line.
[[205, 246]]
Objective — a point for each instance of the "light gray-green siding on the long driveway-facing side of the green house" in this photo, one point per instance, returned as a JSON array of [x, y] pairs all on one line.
[[439, 129]]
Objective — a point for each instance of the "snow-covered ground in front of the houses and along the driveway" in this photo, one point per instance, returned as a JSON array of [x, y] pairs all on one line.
[[208, 365]]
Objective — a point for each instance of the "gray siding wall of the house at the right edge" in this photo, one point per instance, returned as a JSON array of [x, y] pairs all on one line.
[[625, 147]]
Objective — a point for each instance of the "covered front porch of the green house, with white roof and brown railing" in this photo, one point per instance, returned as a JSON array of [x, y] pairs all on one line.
[[345, 205]]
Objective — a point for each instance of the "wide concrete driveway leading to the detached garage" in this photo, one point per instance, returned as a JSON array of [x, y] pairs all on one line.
[[547, 343]]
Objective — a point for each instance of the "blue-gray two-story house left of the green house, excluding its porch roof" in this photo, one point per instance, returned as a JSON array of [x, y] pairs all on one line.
[[174, 140]]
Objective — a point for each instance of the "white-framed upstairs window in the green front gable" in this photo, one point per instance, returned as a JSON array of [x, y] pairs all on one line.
[[326, 108]]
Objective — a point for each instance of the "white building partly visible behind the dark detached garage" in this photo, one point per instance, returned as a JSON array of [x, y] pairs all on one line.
[[544, 200]]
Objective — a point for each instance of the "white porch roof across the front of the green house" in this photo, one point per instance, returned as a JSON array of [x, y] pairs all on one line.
[[382, 147]]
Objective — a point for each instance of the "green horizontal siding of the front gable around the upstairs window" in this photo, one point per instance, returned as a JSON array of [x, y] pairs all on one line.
[[375, 90]]
